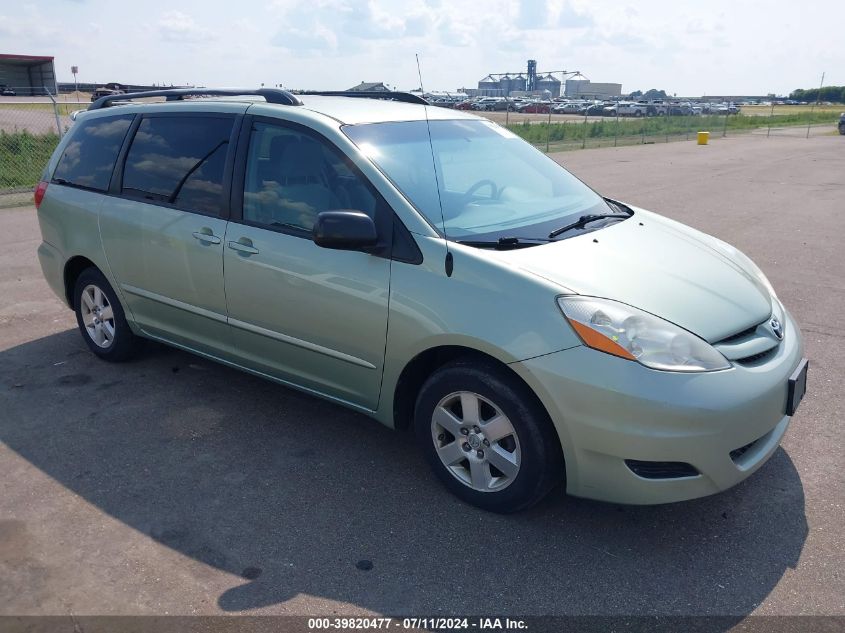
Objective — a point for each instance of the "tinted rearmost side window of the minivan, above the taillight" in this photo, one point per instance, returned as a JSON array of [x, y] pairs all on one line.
[[88, 159]]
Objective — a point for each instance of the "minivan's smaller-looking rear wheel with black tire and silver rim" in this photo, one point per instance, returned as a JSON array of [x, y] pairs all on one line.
[[101, 319]]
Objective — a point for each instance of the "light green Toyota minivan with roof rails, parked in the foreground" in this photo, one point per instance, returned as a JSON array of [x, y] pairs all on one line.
[[538, 333]]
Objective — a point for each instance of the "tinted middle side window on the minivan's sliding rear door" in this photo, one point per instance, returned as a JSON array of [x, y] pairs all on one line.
[[179, 160]]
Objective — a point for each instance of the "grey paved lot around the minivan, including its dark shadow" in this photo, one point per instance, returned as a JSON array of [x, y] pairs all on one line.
[[172, 485]]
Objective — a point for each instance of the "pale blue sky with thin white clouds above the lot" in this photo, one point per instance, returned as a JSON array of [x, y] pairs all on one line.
[[686, 47]]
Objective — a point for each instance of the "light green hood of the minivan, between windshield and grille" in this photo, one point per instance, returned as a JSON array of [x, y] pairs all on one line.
[[657, 265]]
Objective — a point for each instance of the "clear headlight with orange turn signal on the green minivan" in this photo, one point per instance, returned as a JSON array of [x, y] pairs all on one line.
[[619, 329]]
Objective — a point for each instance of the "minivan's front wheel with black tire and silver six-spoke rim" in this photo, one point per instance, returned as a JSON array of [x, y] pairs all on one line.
[[503, 452]]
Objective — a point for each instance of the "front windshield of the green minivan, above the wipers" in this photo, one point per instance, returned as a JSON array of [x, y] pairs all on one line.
[[491, 183]]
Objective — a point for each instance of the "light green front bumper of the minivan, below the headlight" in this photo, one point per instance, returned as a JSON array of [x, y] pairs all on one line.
[[608, 410]]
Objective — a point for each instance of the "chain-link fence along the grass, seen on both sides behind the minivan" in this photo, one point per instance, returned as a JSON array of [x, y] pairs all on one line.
[[30, 128]]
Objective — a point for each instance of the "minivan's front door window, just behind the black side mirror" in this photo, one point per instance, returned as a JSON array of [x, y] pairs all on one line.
[[292, 175]]
